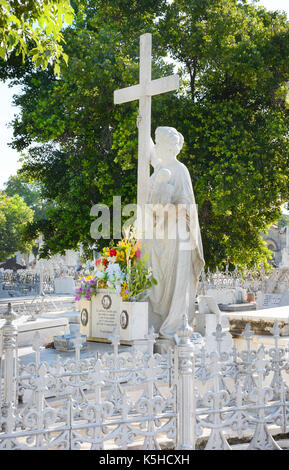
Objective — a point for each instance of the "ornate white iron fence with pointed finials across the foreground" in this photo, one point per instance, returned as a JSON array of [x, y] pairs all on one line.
[[129, 400]]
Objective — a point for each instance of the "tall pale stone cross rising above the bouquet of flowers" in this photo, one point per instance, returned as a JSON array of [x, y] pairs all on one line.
[[143, 92]]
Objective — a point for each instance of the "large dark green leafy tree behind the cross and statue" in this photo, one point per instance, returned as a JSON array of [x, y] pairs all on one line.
[[232, 109]]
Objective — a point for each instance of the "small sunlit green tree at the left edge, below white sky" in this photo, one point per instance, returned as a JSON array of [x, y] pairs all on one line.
[[14, 215]]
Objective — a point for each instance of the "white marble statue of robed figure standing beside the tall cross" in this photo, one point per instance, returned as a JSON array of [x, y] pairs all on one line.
[[177, 261]]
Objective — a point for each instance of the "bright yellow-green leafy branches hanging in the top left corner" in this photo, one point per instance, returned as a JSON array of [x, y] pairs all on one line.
[[33, 28]]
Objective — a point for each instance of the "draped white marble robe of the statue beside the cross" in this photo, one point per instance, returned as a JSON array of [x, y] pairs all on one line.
[[176, 267]]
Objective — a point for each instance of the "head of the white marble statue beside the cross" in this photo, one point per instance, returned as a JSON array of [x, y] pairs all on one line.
[[169, 142]]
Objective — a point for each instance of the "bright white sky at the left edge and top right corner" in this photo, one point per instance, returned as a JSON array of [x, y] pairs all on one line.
[[9, 158]]
